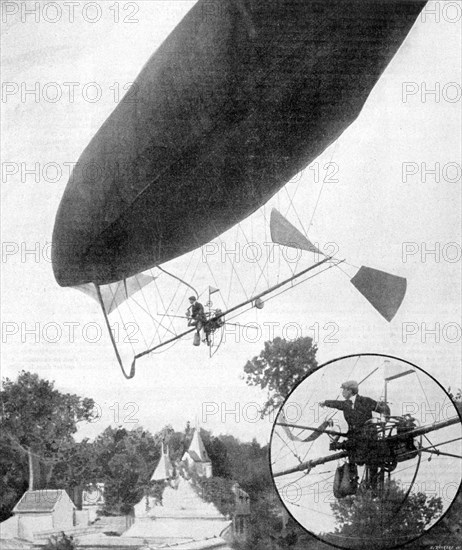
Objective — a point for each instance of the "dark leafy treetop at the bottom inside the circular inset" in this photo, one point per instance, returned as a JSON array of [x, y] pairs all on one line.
[[390, 521]]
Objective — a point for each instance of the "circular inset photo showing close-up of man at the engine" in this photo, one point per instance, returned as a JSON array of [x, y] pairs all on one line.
[[366, 452]]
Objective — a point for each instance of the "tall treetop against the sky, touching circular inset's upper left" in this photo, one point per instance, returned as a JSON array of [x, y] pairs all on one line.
[[279, 368]]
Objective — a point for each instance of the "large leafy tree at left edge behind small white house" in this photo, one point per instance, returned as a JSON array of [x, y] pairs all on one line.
[[37, 424]]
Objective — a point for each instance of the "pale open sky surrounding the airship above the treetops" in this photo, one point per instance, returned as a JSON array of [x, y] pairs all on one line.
[[378, 204]]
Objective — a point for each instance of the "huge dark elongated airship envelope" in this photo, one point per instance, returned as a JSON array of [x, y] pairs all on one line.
[[239, 98]]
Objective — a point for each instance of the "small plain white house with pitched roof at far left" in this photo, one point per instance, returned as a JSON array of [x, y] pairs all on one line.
[[43, 510]]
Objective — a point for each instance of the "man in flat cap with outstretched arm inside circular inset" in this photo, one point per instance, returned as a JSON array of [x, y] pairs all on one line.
[[362, 437]]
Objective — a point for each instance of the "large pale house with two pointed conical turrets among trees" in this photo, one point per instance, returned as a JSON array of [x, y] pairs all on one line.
[[179, 515]]
